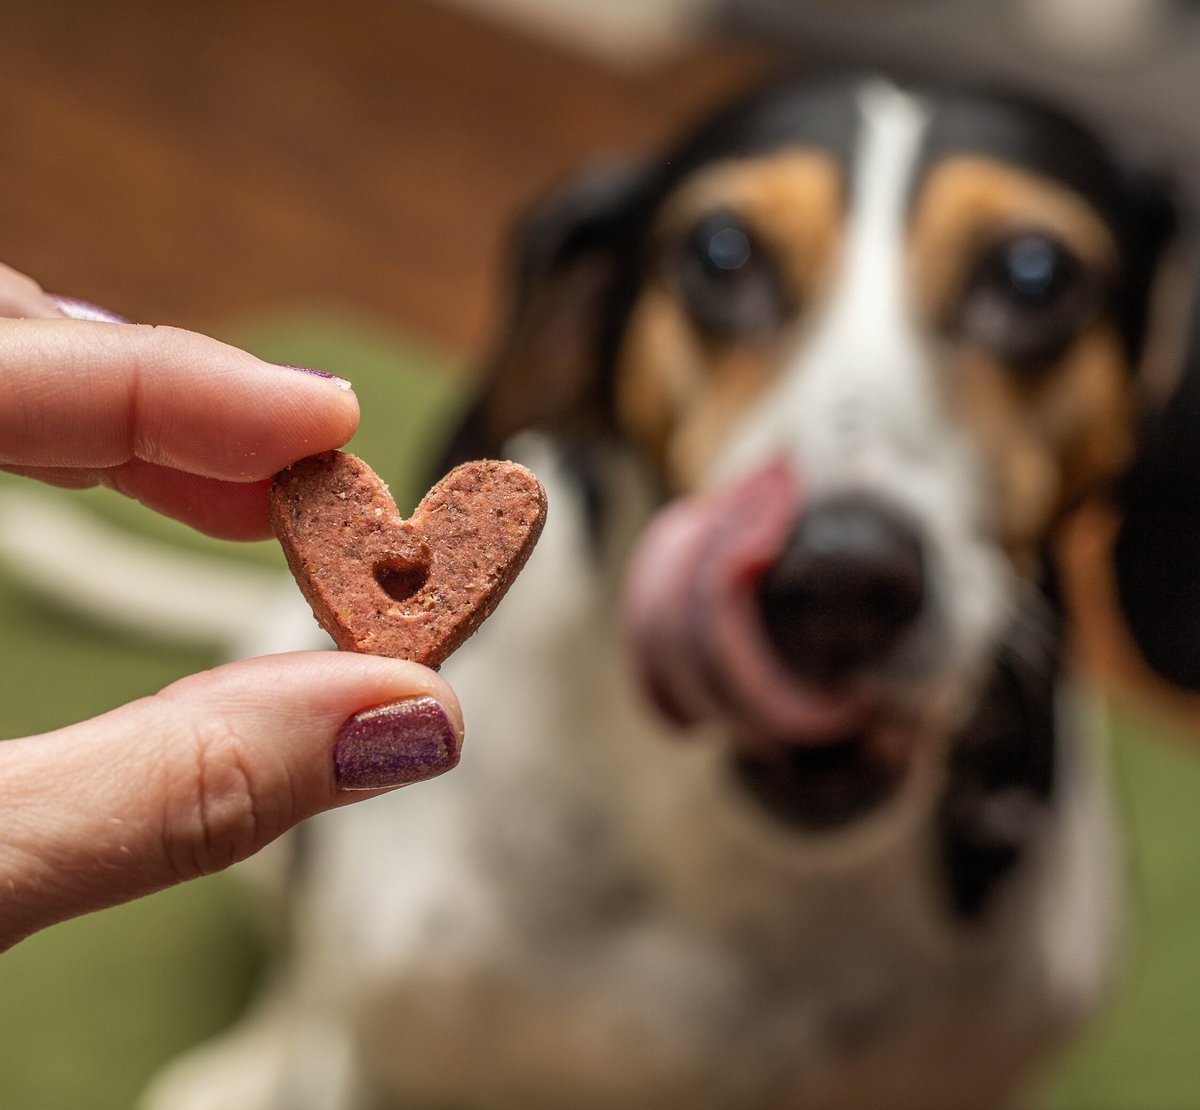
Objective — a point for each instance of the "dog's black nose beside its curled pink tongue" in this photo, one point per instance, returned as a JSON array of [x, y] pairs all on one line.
[[851, 580]]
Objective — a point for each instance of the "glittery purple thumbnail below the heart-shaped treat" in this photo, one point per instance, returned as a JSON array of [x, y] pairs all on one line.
[[395, 745]]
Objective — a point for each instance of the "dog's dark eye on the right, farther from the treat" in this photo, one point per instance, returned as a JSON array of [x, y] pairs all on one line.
[[1028, 301]]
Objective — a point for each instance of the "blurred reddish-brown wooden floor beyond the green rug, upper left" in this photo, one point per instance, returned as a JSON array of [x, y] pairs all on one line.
[[203, 160]]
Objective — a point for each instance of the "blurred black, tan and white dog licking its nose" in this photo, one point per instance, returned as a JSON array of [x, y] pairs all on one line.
[[782, 788]]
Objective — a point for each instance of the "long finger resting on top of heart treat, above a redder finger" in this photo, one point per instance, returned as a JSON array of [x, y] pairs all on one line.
[[94, 395]]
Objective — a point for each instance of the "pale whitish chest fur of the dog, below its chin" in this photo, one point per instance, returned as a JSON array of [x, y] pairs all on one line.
[[592, 916]]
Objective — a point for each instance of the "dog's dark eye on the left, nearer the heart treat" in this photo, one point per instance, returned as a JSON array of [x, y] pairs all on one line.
[[727, 280]]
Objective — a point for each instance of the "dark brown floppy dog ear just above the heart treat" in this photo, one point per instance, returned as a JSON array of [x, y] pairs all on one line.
[[550, 368]]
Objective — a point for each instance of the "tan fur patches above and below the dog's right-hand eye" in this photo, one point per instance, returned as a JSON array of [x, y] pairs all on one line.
[[1047, 441]]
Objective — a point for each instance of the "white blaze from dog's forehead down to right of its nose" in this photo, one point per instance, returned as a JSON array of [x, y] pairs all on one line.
[[859, 407]]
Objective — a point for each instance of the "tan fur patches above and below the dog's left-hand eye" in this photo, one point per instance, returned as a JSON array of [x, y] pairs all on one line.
[[680, 394]]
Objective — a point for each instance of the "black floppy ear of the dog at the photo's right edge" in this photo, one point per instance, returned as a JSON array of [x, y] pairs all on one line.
[[1157, 550]]
